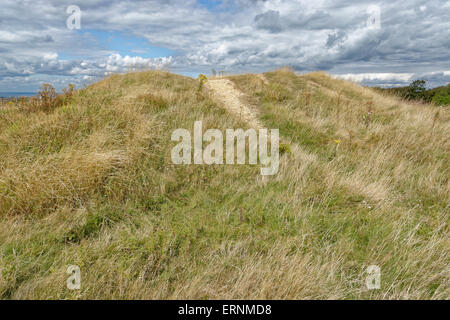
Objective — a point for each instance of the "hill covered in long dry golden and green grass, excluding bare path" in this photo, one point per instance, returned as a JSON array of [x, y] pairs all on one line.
[[90, 182]]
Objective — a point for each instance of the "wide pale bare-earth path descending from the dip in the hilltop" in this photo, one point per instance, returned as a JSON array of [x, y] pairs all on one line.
[[230, 97]]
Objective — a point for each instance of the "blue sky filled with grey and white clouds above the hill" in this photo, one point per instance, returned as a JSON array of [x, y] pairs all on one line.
[[376, 43]]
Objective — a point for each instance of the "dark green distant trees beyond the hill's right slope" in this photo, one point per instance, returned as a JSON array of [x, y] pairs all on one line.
[[417, 91]]
